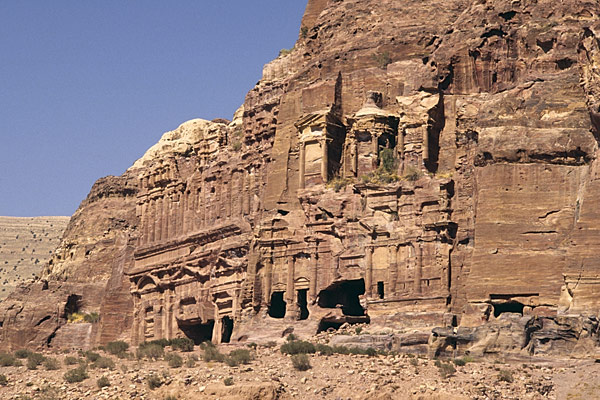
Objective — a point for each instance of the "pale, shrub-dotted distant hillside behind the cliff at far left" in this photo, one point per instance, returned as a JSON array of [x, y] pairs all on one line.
[[25, 246]]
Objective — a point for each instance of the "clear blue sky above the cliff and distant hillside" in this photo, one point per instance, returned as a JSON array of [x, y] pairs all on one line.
[[87, 86]]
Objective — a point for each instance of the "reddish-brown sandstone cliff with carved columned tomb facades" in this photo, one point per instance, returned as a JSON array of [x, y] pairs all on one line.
[[394, 168]]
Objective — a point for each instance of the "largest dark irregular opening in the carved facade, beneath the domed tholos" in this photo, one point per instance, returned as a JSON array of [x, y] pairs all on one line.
[[344, 295]]
